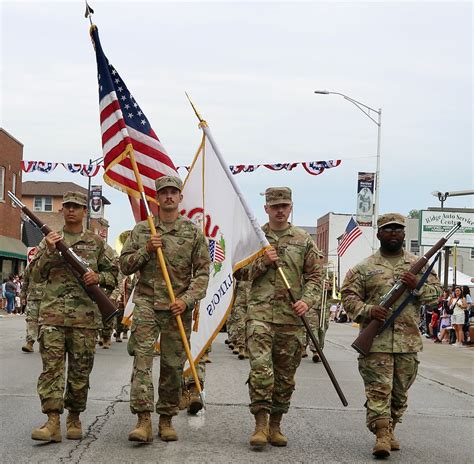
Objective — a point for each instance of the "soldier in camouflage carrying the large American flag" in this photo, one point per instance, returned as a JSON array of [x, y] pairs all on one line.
[[187, 258]]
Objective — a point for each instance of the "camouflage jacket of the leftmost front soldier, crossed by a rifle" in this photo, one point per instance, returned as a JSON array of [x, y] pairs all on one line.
[[65, 302]]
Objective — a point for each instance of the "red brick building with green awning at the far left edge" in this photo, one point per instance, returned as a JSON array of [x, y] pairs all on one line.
[[12, 250]]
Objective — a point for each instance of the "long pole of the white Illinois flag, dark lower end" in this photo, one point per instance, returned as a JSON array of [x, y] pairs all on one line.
[[264, 242]]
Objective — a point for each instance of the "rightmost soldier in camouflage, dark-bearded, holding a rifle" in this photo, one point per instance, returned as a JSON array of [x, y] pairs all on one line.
[[390, 368]]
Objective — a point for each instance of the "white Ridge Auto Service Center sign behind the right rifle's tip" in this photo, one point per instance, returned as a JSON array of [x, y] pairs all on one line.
[[435, 224]]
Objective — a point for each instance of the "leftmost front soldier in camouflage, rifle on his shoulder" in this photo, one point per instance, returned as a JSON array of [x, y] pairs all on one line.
[[68, 319]]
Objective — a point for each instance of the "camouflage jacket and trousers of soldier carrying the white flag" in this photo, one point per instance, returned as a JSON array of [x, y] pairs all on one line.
[[275, 334]]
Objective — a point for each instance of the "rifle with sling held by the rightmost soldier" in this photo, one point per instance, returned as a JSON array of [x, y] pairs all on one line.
[[364, 341]]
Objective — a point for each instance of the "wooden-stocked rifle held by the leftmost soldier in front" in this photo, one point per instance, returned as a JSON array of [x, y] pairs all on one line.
[[75, 263]]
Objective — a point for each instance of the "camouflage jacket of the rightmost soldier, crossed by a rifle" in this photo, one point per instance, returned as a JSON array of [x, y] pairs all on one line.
[[366, 284]]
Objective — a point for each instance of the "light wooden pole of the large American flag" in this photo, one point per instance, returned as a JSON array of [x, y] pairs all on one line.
[[164, 270]]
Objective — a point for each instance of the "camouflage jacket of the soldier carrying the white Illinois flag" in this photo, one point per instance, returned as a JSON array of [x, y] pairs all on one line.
[[300, 260]]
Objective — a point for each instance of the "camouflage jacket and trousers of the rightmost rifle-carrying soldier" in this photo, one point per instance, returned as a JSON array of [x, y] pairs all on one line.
[[391, 366]]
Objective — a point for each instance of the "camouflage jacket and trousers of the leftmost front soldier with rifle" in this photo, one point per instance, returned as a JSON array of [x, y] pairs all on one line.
[[69, 320]]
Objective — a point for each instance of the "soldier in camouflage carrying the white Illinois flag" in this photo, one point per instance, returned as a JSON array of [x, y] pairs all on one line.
[[274, 330]]
